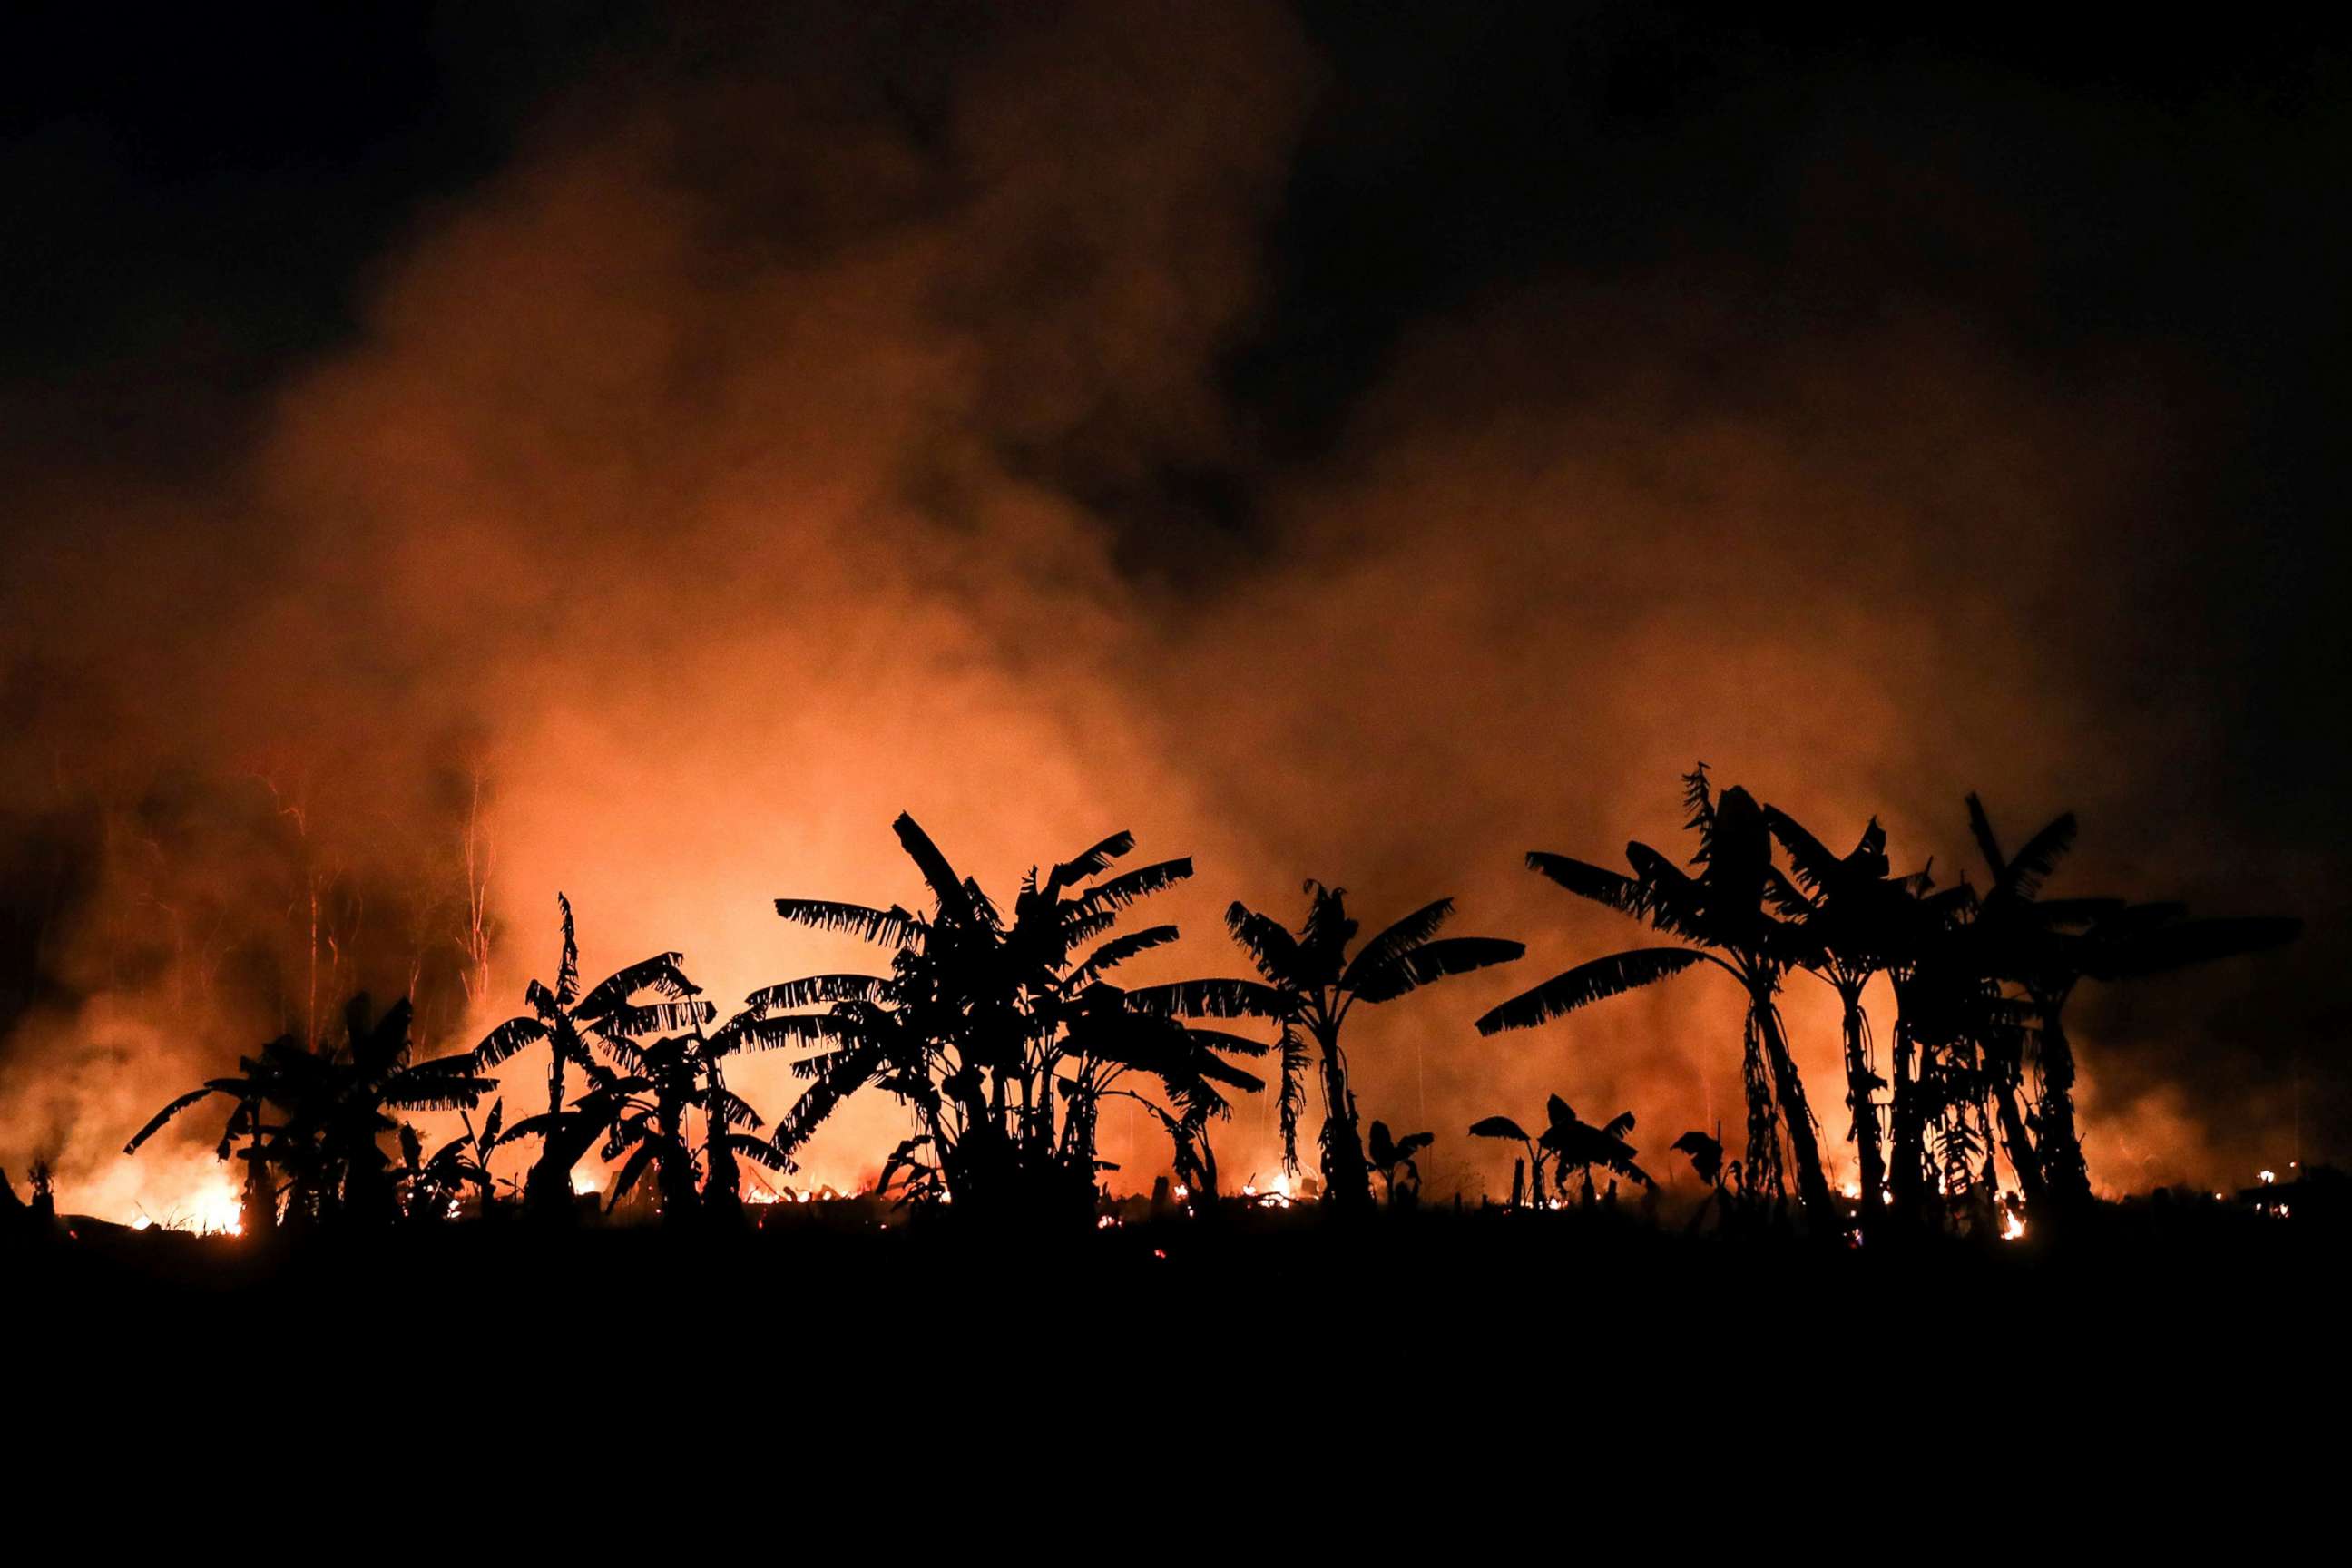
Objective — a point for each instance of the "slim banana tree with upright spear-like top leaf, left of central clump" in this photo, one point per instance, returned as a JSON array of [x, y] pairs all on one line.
[[570, 1024]]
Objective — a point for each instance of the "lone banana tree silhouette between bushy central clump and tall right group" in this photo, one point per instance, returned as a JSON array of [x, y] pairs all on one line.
[[1316, 984]]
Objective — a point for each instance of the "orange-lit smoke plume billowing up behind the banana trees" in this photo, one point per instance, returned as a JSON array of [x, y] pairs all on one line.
[[780, 445]]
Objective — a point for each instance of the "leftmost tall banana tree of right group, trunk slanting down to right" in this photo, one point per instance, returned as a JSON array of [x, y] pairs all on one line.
[[1725, 918]]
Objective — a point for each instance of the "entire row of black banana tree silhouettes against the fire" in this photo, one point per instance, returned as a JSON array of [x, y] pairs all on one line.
[[1005, 1036]]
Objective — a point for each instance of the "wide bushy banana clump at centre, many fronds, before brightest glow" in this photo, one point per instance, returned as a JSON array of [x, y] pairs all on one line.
[[1003, 1038]]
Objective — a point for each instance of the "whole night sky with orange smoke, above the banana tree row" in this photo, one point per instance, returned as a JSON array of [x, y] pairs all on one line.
[[1332, 441]]
